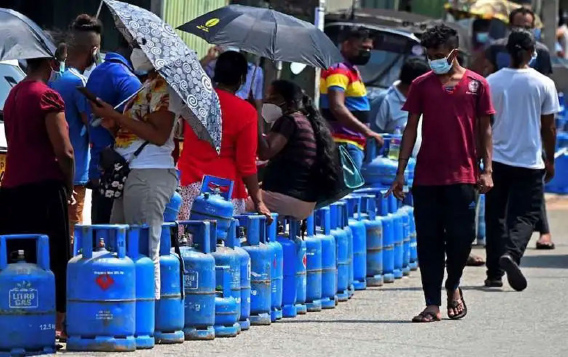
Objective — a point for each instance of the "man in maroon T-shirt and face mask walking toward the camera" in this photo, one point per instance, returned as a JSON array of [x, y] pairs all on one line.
[[455, 105]]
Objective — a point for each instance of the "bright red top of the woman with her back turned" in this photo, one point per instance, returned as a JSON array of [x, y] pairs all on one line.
[[238, 147]]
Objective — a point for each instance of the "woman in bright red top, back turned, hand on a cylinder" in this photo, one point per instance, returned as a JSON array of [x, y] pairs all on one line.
[[237, 160]]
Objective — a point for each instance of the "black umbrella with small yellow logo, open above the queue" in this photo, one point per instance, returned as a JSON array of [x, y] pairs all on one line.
[[266, 33]]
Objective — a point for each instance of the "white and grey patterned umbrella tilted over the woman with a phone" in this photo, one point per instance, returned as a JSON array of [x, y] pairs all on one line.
[[178, 65]]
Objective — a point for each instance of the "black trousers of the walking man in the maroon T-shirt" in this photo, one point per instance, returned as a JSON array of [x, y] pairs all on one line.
[[445, 228]]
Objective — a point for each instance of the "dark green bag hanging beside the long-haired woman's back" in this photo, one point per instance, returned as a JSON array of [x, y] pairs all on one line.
[[349, 179]]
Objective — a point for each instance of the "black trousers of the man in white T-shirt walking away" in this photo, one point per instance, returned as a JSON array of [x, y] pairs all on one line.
[[513, 208]]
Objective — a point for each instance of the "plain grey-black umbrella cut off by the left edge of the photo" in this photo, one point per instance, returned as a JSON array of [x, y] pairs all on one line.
[[21, 38]]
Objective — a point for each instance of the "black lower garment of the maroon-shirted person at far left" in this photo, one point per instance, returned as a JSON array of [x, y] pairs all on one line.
[[39, 209]]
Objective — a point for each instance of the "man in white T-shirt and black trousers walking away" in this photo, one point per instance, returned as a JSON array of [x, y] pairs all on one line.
[[526, 102]]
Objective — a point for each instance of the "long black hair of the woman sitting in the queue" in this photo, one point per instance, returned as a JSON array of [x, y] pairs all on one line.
[[326, 165]]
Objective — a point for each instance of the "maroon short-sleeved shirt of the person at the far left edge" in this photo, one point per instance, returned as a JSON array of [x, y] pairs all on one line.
[[30, 158]]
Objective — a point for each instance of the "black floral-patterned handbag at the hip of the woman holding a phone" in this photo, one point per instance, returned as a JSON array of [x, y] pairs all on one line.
[[115, 170]]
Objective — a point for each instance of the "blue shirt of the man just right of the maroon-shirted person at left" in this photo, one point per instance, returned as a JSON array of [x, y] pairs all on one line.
[[75, 104]]
